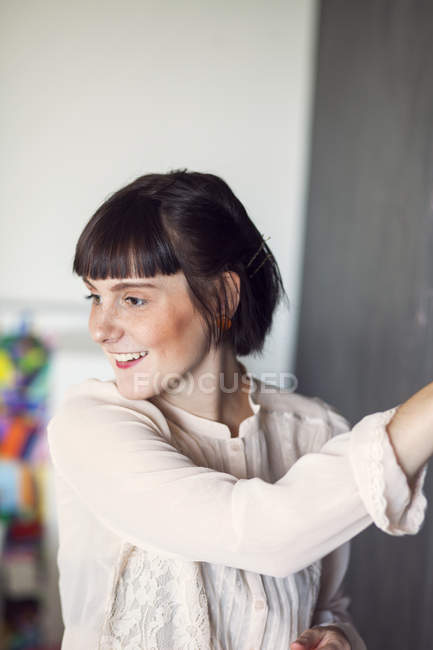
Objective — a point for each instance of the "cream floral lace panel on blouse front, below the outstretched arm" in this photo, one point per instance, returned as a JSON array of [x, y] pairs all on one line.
[[159, 603]]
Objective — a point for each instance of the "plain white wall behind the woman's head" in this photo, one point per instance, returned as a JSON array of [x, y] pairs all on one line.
[[95, 94]]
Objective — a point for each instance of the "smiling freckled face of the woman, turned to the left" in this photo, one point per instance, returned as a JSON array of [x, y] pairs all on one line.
[[154, 316]]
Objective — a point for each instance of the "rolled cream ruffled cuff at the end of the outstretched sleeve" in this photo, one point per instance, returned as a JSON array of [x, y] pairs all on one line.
[[394, 507]]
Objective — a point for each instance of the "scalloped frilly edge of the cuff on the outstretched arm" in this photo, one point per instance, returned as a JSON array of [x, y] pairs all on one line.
[[414, 513]]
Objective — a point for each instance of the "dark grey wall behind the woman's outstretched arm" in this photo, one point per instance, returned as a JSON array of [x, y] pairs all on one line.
[[366, 320]]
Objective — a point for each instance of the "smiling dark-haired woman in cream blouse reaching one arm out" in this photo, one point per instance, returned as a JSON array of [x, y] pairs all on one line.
[[200, 507]]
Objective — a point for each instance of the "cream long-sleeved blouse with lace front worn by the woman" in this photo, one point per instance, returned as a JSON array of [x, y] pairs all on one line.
[[175, 536]]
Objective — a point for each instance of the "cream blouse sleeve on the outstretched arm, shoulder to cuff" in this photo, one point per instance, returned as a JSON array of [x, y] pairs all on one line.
[[145, 490]]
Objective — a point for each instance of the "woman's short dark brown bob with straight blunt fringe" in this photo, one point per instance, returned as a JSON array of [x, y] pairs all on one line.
[[191, 222]]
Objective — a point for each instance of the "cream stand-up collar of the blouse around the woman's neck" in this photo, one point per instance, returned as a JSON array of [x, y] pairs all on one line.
[[204, 426]]
